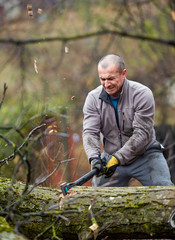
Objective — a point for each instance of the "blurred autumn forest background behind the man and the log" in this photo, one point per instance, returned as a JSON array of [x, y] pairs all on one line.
[[49, 53]]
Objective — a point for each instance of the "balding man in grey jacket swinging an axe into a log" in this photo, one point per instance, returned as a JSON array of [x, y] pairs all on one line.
[[122, 113]]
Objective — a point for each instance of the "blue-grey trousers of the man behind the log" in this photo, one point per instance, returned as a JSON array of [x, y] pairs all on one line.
[[150, 169]]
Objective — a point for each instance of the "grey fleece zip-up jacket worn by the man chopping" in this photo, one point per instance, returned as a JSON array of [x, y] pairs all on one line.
[[131, 134]]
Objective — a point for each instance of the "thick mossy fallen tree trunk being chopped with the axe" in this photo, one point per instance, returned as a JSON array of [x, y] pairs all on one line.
[[130, 212]]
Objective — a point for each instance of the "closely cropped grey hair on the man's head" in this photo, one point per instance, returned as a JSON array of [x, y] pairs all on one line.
[[112, 59]]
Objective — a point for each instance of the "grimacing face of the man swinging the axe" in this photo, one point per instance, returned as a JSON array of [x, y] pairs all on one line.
[[111, 79]]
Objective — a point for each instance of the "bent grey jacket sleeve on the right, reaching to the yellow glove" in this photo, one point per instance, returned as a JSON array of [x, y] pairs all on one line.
[[143, 128]]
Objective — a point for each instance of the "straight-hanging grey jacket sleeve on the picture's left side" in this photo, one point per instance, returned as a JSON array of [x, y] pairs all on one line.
[[91, 127]]
